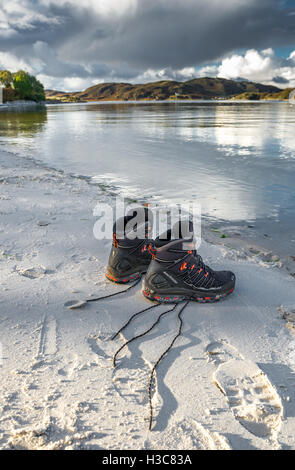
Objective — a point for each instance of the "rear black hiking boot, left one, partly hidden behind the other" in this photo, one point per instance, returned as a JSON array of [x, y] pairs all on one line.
[[132, 248]]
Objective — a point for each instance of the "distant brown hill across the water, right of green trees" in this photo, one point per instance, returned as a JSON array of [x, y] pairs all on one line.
[[198, 88]]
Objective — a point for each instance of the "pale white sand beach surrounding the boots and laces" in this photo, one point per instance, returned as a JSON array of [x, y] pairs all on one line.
[[228, 383]]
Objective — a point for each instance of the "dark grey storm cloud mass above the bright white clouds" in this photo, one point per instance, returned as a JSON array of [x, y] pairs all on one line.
[[86, 38]]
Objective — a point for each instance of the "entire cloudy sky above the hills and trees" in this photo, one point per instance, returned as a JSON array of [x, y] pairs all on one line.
[[73, 44]]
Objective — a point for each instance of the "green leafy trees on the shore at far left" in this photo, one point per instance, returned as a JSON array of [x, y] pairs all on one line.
[[21, 86]]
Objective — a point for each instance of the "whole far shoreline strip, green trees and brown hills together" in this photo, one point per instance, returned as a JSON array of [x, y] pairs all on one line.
[[22, 85]]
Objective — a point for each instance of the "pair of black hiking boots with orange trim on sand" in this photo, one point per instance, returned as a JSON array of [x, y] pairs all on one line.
[[174, 271]]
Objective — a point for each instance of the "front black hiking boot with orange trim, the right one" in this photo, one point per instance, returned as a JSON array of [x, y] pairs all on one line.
[[178, 273]]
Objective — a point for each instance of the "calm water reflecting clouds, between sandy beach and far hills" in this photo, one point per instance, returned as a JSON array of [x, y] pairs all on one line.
[[236, 159]]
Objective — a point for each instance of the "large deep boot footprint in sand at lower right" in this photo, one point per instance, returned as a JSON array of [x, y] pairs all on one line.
[[252, 398]]
